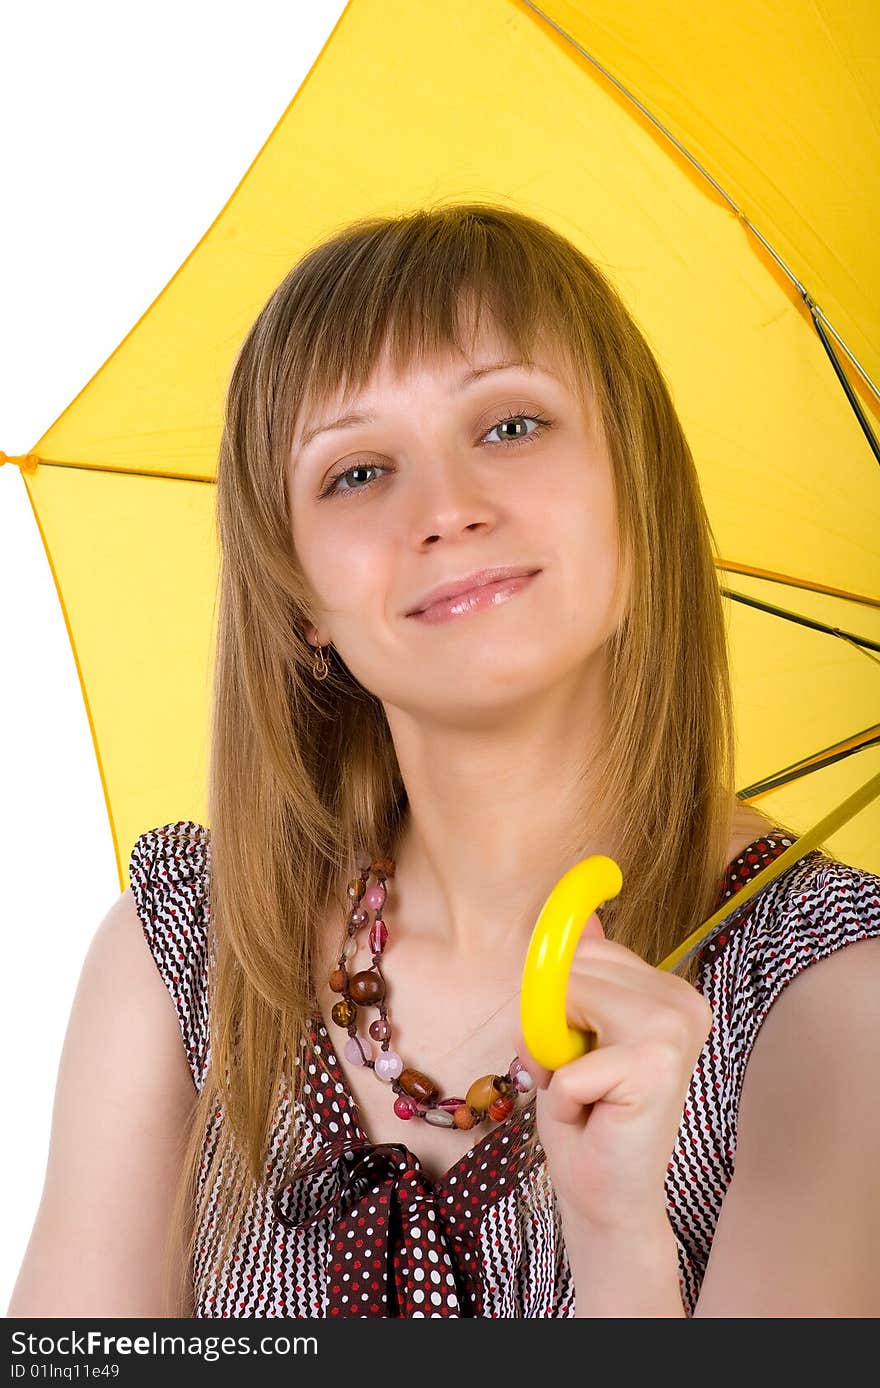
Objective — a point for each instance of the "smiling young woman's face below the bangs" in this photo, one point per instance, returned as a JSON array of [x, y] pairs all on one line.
[[449, 477]]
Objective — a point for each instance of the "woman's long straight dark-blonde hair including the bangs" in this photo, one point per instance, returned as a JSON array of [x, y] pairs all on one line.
[[305, 782]]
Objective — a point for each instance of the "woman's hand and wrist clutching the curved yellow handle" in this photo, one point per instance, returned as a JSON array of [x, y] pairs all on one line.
[[609, 1121]]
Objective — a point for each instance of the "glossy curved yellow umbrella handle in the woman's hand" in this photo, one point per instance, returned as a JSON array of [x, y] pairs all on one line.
[[549, 961]]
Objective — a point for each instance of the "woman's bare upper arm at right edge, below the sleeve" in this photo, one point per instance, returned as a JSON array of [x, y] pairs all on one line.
[[799, 1233]]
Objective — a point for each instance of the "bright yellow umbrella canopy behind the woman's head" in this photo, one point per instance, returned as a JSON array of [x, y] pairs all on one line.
[[713, 160]]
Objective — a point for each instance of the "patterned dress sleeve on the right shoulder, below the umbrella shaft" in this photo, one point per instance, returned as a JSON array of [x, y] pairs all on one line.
[[827, 907]]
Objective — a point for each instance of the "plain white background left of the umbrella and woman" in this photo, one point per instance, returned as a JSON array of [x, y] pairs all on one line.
[[124, 131]]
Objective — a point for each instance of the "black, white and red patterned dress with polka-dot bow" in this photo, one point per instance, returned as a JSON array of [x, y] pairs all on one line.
[[359, 1229]]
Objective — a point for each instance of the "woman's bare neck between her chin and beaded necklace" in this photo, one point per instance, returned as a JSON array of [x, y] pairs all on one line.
[[495, 818]]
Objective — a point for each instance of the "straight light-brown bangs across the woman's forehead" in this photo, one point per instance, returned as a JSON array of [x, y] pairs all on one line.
[[420, 289]]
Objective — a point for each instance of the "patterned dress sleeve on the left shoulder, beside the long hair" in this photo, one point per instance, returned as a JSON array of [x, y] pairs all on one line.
[[169, 874]]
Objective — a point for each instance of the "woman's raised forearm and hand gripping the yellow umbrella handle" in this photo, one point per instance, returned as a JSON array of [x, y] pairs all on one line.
[[609, 1122]]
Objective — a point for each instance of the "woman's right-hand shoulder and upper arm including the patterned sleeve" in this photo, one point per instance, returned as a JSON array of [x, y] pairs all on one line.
[[807, 1051]]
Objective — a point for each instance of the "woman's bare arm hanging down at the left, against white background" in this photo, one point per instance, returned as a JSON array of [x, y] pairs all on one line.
[[123, 1101]]
